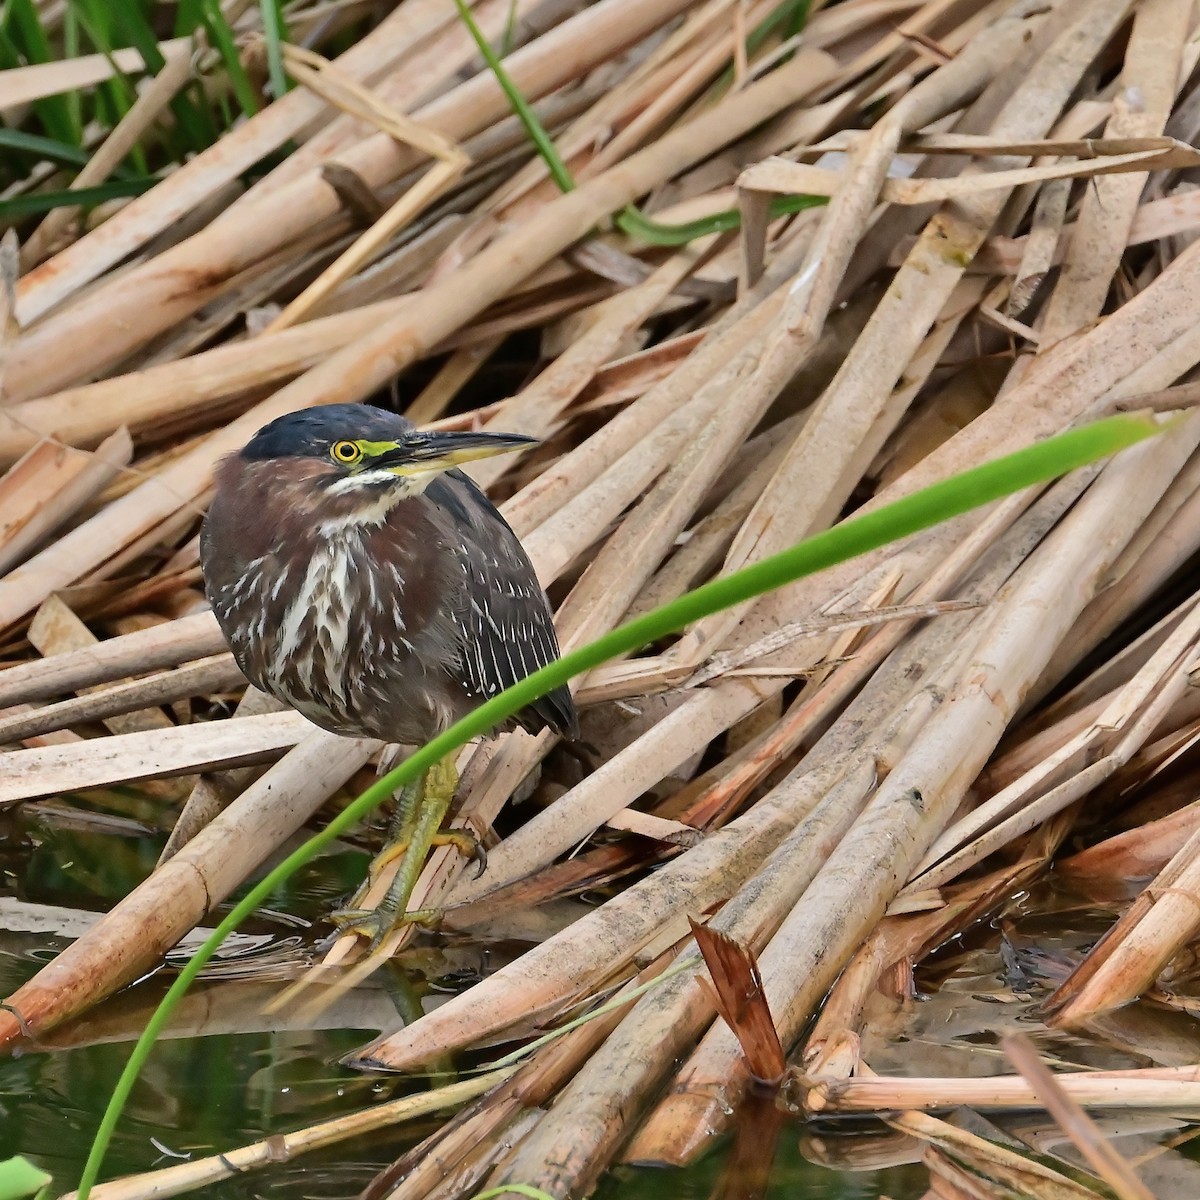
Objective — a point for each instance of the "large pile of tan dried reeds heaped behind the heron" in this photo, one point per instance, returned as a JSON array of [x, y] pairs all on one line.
[[1009, 249]]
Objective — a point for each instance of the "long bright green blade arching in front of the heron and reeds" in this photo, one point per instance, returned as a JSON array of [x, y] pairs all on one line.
[[857, 536]]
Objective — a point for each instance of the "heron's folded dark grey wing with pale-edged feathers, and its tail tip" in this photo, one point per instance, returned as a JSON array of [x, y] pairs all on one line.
[[508, 627]]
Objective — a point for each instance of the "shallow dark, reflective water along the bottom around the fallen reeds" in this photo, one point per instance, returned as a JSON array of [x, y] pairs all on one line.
[[226, 1075]]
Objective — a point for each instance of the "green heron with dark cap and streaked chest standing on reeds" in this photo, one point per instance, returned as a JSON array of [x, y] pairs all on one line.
[[364, 581]]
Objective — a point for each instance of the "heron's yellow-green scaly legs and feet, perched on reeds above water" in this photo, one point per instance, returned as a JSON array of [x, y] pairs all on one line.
[[419, 829]]
